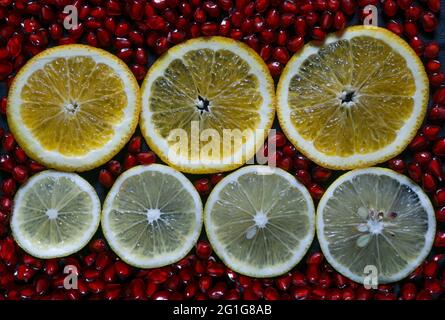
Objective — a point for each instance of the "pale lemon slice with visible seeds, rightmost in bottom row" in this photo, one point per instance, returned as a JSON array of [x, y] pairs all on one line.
[[375, 220]]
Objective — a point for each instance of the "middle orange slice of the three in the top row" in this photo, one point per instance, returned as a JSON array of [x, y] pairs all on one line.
[[207, 105]]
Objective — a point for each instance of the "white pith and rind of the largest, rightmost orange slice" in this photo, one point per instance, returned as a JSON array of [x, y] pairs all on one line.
[[357, 160]]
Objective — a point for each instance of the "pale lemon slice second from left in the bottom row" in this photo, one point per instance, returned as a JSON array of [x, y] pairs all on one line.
[[152, 216]]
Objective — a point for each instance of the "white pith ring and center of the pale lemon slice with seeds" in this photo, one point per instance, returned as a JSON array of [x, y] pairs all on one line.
[[426, 203]]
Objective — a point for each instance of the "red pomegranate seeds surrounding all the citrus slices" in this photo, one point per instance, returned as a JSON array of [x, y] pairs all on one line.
[[135, 29]]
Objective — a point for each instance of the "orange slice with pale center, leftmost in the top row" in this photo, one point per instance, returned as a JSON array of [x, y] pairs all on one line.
[[73, 107]]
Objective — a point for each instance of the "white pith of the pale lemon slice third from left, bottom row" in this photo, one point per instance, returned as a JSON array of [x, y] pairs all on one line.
[[239, 265]]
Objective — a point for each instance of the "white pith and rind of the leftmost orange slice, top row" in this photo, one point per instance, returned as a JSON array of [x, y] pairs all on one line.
[[122, 130]]
